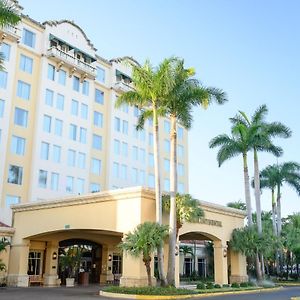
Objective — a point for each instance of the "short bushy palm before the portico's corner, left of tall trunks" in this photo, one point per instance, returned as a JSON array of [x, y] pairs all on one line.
[[144, 240]]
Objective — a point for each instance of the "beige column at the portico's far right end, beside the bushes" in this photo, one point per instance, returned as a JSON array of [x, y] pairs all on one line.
[[238, 267]]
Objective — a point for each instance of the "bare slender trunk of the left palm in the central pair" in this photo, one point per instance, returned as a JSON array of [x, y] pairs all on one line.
[[158, 198]]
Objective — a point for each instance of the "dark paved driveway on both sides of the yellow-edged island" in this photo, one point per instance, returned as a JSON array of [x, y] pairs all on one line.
[[91, 293]]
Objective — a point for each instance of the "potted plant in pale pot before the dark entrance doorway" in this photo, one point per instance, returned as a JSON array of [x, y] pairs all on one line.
[[69, 261]]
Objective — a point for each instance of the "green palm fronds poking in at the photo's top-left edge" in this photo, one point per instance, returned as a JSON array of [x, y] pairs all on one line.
[[8, 17]]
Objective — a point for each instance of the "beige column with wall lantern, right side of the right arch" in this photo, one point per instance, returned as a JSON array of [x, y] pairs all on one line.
[[220, 262]]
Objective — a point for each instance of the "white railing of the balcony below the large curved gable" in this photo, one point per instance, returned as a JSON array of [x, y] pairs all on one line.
[[71, 61]]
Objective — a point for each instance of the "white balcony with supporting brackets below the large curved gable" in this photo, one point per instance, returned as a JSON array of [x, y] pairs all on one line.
[[75, 64]]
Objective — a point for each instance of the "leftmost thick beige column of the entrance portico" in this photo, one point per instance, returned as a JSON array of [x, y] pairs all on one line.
[[18, 264]]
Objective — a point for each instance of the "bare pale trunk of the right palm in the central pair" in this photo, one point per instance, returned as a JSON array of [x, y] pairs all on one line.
[[173, 191]]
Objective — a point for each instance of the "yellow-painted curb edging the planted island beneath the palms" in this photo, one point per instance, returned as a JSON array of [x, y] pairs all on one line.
[[152, 297]]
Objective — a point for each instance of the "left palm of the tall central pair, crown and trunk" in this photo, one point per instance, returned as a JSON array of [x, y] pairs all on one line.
[[151, 85]]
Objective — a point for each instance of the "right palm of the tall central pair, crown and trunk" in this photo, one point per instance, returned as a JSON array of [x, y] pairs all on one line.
[[186, 93]]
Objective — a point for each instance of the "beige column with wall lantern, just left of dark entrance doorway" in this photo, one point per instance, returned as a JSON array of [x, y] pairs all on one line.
[[51, 265]]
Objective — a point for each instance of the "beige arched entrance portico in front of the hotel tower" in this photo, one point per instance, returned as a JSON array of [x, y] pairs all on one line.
[[104, 218]]
